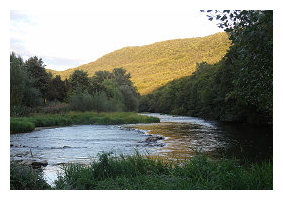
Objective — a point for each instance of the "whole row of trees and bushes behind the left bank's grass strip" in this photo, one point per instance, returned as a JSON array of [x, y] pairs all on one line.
[[34, 90]]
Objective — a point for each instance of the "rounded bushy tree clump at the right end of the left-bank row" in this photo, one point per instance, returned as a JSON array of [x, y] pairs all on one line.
[[105, 91]]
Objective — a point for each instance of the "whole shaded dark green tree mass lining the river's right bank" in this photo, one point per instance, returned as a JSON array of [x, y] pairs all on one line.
[[238, 88]]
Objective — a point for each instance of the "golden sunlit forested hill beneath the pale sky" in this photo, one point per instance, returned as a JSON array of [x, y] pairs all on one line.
[[154, 65]]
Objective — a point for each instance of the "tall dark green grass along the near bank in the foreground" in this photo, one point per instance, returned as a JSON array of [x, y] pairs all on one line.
[[144, 173]]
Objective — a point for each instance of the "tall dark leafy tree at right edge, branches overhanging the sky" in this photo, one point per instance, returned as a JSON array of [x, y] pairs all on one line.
[[251, 32]]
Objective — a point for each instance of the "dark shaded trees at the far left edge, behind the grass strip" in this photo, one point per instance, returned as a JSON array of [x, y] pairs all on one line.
[[31, 86]]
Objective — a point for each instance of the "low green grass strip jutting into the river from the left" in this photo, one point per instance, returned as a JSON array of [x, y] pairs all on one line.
[[27, 124]]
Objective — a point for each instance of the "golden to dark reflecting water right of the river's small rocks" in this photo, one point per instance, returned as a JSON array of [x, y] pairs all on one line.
[[186, 135]]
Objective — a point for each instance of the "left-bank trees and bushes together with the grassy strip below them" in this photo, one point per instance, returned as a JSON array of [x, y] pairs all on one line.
[[38, 100]]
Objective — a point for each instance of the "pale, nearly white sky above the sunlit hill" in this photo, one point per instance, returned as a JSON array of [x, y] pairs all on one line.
[[67, 39]]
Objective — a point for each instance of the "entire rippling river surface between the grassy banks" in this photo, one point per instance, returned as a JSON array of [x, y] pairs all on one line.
[[182, 138]]
